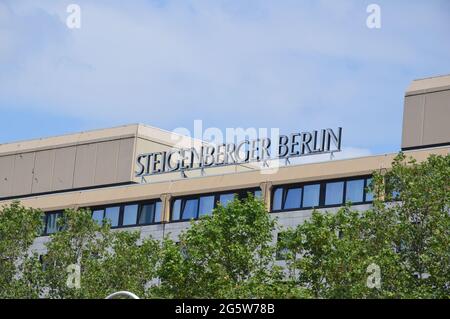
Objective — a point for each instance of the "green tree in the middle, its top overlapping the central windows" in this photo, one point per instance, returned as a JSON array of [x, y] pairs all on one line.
[[229, 254]]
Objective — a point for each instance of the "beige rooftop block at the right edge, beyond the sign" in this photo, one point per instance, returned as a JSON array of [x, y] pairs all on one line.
[[426, 116]]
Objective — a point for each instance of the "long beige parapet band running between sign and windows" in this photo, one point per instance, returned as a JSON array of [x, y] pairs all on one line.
[[230, 181]]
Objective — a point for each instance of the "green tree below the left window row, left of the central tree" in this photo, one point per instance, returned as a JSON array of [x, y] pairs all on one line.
[[109, 261]]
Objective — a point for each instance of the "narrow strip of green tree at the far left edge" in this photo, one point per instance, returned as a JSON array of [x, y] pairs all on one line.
[[19, 226]]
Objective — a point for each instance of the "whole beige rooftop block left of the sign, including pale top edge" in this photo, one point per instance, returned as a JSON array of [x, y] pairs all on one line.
[[80, 160]]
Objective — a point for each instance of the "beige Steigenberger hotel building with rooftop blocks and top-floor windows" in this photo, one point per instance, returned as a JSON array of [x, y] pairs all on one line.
[[101, 170]]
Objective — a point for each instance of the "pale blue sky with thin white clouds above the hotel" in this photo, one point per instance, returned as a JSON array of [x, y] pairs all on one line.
[[293, 65]]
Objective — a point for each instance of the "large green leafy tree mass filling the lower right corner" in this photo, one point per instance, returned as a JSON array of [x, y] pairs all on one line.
[[406, 235]]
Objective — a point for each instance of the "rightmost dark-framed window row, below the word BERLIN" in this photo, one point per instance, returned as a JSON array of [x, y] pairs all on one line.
[[321, 194]]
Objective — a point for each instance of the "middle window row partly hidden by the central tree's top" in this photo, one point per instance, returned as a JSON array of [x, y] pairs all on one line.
[[194, 207]]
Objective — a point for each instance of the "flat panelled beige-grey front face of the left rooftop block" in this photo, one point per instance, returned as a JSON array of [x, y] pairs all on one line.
[[64, 168]]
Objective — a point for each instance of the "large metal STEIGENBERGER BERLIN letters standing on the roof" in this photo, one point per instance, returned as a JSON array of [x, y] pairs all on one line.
[[257, 150]]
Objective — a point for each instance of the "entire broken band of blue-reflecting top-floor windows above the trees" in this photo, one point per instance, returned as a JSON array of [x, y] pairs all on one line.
[[284, 198]]
